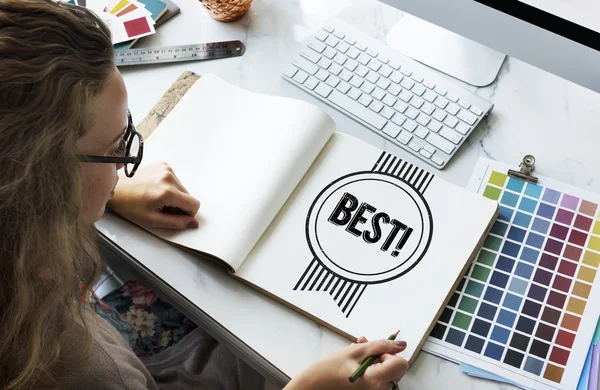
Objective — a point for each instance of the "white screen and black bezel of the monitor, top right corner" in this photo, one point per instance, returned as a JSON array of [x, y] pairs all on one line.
[[577, 20]]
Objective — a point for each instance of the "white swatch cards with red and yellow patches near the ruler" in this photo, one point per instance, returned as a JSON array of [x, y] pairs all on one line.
[[127, 19]]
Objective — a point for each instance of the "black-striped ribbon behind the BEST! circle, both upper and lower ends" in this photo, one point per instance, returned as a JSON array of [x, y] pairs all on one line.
[[344, 292]]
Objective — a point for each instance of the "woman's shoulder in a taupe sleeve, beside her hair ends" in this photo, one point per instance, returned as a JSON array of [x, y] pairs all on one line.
[[111, 364]]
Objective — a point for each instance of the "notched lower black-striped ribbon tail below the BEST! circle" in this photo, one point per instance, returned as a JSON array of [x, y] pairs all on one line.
[[344, 292]]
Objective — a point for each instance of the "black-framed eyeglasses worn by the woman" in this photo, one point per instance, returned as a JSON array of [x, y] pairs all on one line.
[[133, 144]]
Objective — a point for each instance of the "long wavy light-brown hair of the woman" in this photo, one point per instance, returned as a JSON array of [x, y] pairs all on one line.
[[54, 59]]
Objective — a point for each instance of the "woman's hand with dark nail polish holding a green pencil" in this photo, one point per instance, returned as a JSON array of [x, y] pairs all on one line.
[[333, 371]]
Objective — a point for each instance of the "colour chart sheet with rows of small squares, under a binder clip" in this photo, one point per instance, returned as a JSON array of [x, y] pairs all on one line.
[[527, 307]]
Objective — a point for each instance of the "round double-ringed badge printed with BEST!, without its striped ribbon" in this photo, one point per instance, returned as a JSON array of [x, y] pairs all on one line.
[[369, 227]]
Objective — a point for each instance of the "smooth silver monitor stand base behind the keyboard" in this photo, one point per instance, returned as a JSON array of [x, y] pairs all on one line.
[[445, 51]]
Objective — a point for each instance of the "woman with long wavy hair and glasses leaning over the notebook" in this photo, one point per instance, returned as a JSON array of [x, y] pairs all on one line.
[[63, 110]]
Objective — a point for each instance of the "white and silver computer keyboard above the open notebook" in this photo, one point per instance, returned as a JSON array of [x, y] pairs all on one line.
[[396, 97]]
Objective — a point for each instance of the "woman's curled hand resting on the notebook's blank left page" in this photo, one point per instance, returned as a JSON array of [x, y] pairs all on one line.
[[154, 197]]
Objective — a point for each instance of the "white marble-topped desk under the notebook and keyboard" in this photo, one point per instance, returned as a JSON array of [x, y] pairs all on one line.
[[535, 113]]
